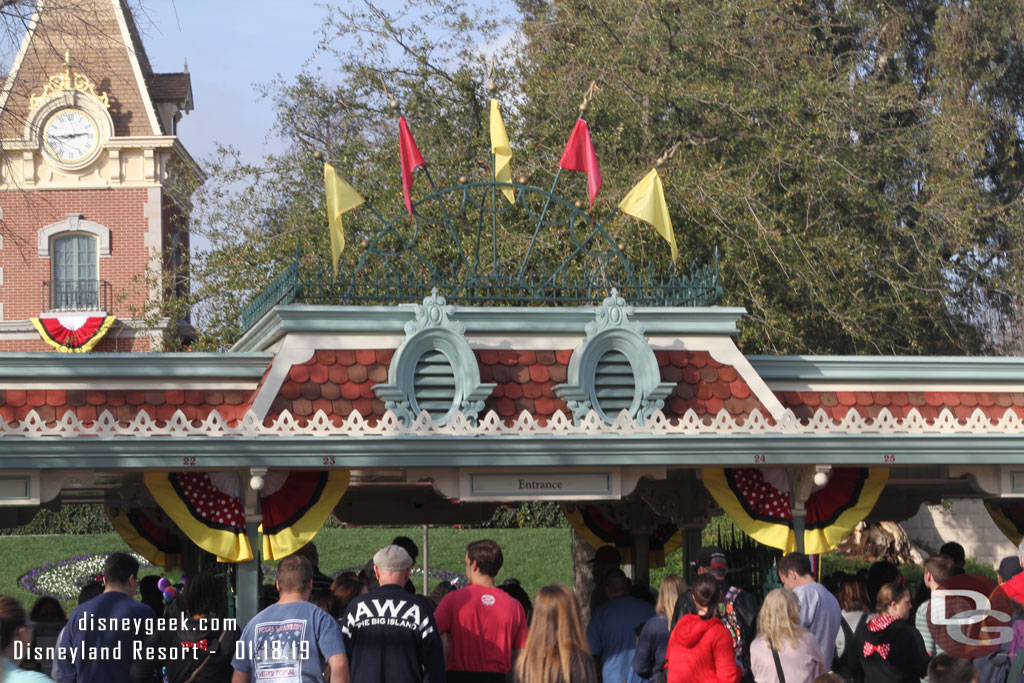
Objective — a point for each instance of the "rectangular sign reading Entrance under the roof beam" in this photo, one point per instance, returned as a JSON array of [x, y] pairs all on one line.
[[539, 486]]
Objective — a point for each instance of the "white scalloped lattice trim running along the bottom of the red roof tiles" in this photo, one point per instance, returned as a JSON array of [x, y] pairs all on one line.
[[526, 424]]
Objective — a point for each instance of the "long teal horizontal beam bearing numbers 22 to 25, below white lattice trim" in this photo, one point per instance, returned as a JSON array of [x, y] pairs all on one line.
[[523, 451]]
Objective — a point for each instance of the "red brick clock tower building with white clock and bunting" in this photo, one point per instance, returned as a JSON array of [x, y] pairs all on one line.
[[92, 219]]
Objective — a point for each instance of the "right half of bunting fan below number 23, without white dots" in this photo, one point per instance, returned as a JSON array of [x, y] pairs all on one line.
[[296, 511]]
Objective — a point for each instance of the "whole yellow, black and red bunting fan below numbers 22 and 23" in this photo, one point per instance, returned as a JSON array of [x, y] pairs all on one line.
[[207, 509]]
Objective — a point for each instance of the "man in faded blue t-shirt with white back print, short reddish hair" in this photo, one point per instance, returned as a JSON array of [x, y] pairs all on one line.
[[292, 642]]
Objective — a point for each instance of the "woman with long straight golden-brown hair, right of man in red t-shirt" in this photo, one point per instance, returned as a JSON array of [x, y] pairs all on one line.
[[557, 650]]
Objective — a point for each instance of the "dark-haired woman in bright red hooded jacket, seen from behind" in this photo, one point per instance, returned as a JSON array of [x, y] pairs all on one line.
[[701, 648]]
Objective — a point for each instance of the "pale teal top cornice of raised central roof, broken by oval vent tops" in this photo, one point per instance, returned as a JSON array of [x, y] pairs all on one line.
[[479, 321]]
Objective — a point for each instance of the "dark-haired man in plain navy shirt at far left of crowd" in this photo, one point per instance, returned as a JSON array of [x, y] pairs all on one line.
[[101, 637]]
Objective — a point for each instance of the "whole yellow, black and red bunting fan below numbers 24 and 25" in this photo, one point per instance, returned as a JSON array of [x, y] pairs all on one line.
[[761, 506]]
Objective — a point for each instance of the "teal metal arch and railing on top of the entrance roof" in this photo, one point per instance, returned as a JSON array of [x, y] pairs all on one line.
[[478, 249]]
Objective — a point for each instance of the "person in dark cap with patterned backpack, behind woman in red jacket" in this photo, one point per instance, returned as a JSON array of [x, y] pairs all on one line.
[[738, 609]]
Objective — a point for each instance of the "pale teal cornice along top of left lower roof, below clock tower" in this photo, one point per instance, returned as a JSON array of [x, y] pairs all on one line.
[[133, 366]]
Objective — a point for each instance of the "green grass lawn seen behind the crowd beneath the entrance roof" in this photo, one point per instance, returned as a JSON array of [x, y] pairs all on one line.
[[536, 558]]
